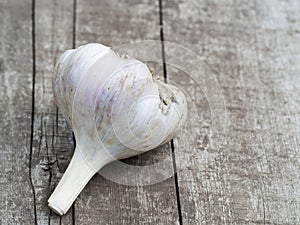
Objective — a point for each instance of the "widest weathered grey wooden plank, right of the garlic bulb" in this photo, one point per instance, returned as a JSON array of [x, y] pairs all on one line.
[[252, 47]]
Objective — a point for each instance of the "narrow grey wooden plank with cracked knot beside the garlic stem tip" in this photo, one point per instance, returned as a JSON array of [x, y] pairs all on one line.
[[53, 143]]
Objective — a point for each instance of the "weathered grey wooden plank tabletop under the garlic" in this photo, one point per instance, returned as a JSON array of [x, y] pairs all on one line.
[[253, 49]]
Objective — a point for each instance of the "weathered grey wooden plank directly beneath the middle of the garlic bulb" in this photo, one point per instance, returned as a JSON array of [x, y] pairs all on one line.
[[102, 201]]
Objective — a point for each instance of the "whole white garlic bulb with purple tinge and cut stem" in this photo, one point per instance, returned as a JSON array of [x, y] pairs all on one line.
[[117, 109]]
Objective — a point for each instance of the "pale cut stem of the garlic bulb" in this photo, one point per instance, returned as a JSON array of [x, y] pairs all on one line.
[[77, 175]]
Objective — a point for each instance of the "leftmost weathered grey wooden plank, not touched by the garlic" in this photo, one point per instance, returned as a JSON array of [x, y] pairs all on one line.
[[16, 194]]
